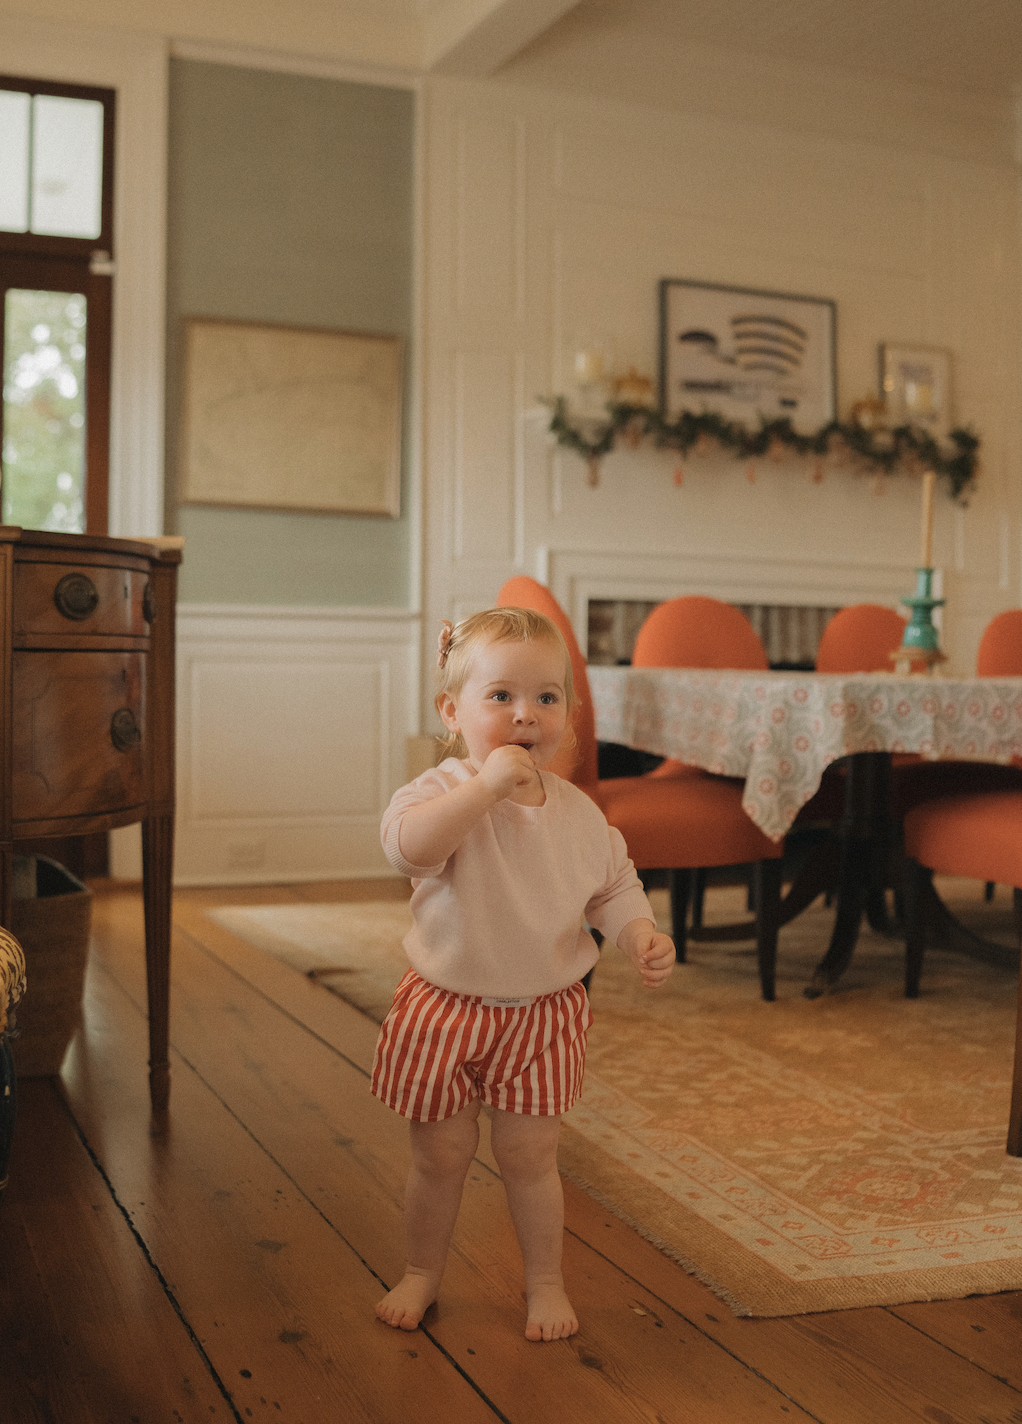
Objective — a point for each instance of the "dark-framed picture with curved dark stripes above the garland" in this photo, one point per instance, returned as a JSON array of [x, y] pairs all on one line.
[[748, 355]]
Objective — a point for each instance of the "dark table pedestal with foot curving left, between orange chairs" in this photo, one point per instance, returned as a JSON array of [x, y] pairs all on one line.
[[865, 837]]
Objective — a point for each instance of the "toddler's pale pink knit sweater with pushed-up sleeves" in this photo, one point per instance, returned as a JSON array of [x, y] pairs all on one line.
[[505, 916]]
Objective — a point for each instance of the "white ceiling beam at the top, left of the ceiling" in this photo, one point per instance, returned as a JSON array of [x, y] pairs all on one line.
[[476, 38]]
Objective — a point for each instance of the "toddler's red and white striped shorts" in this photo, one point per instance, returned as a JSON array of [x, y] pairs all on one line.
[[441, 1050]]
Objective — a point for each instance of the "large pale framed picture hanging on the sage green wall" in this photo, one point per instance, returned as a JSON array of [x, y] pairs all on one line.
[[291, 418]]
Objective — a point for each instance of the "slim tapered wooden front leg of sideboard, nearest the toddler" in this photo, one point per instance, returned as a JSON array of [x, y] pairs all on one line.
[[157, 872]]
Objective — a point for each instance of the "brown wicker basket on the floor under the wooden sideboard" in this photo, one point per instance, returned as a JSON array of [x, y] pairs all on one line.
[[53, 929]]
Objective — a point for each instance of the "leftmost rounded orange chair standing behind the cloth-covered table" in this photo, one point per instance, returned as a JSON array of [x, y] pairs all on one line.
[[697, 633]]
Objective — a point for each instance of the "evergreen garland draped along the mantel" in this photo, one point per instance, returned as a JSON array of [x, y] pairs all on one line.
[[883, 451]]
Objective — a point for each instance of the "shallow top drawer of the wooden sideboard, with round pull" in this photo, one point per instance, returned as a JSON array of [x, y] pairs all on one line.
[[80, 599]]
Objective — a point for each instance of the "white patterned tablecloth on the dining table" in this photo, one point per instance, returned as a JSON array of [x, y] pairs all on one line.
[[781, 730]]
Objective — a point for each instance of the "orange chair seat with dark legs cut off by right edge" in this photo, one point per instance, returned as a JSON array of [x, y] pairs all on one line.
[[979, 837]]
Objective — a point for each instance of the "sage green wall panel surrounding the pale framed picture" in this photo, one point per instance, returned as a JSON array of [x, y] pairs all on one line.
[[290, 200]]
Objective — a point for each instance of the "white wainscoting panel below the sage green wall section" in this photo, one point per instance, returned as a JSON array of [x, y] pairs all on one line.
[[293, 728]]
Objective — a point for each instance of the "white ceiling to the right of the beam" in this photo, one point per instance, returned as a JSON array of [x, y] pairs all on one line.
[[963, 45]]
